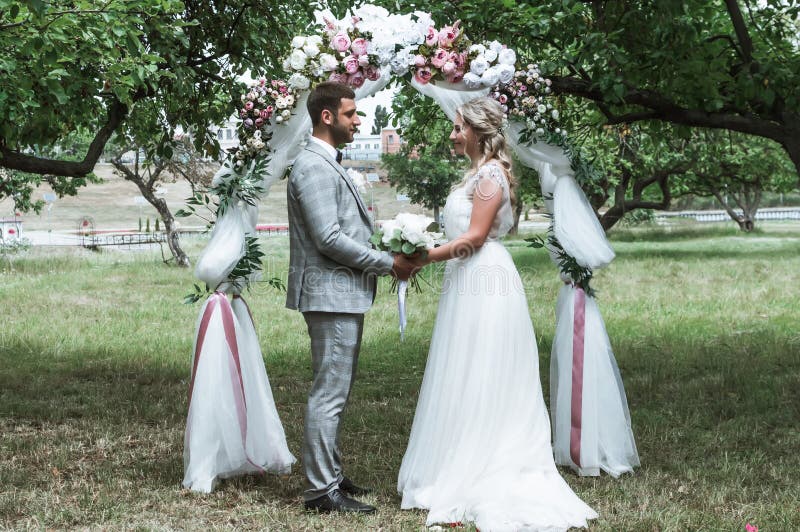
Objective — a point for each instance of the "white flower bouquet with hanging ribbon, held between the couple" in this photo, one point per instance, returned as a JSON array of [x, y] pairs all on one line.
[[409, 234]]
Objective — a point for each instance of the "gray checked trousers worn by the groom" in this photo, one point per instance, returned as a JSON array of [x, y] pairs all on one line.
[[335, 342]]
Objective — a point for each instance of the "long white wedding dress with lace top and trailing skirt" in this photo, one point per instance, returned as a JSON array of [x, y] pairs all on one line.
[[480, 449]]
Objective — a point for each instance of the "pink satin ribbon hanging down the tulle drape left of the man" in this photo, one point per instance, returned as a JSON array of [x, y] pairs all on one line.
[[237, 383]]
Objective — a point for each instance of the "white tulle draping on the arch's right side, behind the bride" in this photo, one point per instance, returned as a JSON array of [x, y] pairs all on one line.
[[607, 441]]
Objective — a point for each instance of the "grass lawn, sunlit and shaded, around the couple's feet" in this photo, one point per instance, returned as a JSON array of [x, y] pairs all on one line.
[[95, 351]]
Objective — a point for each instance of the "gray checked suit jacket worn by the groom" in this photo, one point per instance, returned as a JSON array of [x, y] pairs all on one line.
[[332, 266]]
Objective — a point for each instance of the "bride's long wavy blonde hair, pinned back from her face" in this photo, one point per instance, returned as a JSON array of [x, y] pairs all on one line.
[[486, 118]]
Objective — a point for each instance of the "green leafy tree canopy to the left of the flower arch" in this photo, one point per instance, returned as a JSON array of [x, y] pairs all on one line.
[[159, 64]]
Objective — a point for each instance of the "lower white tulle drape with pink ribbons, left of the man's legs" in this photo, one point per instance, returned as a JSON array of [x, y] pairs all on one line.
[[233, 426]]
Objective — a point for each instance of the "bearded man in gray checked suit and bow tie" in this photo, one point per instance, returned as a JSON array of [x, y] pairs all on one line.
[[332, 280]]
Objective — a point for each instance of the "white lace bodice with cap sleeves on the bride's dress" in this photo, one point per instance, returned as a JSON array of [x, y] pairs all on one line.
[[458, 209]]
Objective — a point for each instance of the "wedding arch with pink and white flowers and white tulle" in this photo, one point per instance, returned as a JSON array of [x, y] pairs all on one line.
[[367, 50]]
